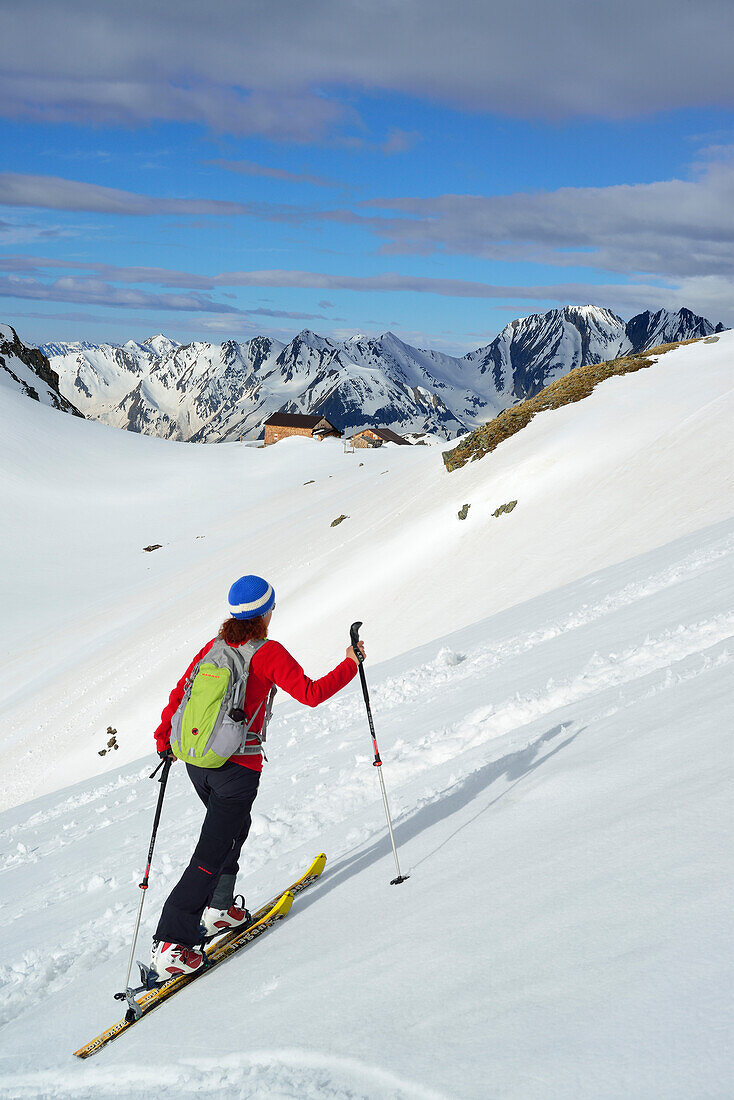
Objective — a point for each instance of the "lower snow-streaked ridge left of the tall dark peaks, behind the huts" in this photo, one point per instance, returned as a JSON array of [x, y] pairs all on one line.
[[212, 393]]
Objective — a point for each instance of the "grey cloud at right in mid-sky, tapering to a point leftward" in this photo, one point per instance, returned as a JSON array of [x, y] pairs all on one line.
[[676, 228]]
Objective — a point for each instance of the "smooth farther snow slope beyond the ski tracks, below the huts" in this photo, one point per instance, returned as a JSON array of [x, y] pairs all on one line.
[[643, 460]]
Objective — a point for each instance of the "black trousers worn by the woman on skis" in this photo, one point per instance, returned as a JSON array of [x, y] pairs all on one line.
[[228, 794]]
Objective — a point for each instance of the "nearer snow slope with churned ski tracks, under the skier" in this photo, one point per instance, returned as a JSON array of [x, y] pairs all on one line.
[[561, 776]]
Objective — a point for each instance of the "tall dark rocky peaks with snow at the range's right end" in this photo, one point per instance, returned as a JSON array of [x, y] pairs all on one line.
[[532, 353]]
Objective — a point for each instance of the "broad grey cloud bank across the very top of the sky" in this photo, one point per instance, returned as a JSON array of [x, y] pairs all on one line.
[[289, 71]]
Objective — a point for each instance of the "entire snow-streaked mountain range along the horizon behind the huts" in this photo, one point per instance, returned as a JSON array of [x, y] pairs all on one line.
[[212, 393]]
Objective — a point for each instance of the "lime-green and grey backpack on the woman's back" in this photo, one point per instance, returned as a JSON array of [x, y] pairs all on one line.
[[210, 725]]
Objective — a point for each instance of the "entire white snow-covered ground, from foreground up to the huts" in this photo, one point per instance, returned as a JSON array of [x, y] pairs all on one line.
[[553, 697]]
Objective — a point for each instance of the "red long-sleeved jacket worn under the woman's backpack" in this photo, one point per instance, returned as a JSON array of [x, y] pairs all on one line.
[[271, 665]]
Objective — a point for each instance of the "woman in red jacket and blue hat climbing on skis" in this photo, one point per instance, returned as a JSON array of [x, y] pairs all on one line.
[[203, 903]]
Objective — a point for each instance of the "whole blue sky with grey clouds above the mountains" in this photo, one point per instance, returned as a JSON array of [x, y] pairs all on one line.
[[345, 167]]
